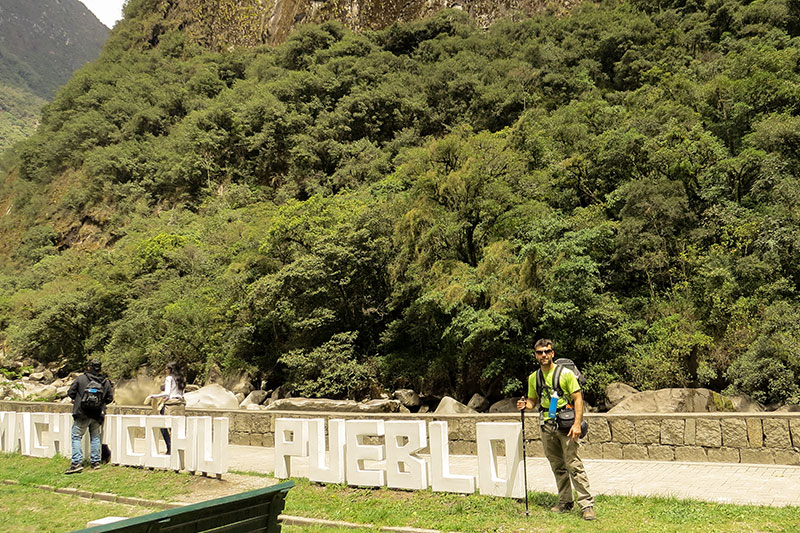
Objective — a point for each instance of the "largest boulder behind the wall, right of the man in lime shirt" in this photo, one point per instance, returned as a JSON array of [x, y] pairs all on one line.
[[678, 400]]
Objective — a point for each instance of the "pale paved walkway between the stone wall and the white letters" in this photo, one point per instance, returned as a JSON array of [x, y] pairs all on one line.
[[772, 485]]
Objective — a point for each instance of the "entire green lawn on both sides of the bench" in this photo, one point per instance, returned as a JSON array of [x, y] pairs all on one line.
[[28, 509]]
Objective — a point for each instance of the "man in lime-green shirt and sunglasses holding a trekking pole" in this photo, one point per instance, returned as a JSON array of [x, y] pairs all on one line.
[[556, 389]]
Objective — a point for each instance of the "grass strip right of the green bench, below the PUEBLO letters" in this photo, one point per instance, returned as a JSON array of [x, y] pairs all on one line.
[[476, 513]]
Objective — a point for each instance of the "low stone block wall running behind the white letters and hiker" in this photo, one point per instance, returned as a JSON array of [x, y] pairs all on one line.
[[761, 438]]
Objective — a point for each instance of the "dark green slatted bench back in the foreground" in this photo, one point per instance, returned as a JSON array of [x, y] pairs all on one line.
[[252, 511]]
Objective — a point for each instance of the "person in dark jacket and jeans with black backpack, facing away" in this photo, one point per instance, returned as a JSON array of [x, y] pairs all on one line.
[[90, 393]]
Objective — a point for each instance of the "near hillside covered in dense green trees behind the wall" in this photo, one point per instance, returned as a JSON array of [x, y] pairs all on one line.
[[413, 206]]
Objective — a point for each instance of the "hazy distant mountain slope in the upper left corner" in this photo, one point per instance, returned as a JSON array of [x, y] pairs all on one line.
[[42, 42]]
